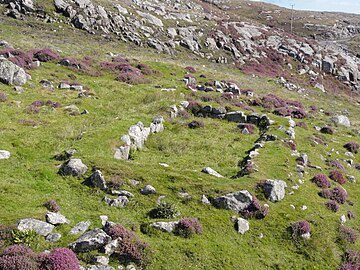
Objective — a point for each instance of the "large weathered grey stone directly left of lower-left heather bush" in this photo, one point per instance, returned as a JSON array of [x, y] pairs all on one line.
[[91, 240]]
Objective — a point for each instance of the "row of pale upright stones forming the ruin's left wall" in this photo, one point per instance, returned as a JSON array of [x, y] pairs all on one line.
[[136, 137]]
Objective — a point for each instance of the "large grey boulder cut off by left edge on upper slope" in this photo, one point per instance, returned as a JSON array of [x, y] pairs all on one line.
[[11, 74]]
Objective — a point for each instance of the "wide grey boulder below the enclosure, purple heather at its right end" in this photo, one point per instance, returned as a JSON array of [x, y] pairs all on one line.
[[236, 201]]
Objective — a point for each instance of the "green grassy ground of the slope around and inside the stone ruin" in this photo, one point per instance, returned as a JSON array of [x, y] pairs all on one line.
[[29, 177]]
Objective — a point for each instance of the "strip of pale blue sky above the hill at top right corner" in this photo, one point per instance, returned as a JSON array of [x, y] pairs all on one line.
[[349, 6]]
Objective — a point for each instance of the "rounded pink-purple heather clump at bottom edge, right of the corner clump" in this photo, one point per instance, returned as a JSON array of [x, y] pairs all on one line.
[[60, 259]]
